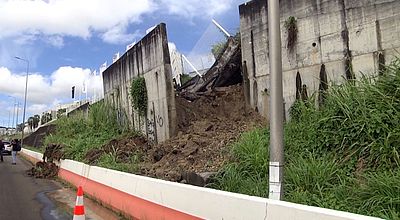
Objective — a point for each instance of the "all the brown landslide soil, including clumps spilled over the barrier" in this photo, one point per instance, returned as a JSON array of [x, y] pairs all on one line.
[[206, 127]]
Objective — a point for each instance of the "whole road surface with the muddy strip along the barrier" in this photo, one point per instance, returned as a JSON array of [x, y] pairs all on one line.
[[24, 197]]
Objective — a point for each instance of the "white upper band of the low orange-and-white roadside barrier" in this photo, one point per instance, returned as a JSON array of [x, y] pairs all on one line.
[[204, 202]]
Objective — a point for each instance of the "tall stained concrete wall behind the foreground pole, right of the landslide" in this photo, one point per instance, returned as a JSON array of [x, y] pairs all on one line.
[[335, 39]]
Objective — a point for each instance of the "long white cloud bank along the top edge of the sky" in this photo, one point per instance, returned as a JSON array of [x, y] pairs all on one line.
[[107, 19]]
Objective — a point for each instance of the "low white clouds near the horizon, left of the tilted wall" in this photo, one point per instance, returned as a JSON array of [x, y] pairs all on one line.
[[44, 92]]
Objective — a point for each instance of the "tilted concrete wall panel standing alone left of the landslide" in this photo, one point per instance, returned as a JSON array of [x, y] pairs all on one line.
[[149, 58]]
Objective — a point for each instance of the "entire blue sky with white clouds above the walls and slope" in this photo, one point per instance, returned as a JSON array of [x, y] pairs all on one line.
[[65, 41]]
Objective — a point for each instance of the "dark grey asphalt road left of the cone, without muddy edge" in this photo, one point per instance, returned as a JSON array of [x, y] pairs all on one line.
[[23, 197]]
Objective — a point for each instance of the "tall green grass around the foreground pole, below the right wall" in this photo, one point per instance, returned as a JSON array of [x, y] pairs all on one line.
[[342, 155]]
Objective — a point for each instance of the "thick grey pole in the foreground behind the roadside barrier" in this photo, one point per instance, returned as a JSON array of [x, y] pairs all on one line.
[[276, 161]]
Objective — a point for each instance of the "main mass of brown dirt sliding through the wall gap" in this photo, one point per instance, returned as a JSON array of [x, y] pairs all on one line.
[[206, 127]]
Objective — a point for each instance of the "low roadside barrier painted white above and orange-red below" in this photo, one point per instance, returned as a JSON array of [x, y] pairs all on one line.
[[148, 198]]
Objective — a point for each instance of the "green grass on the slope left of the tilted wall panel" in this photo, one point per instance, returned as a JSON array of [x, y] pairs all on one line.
[[79, 133]]
